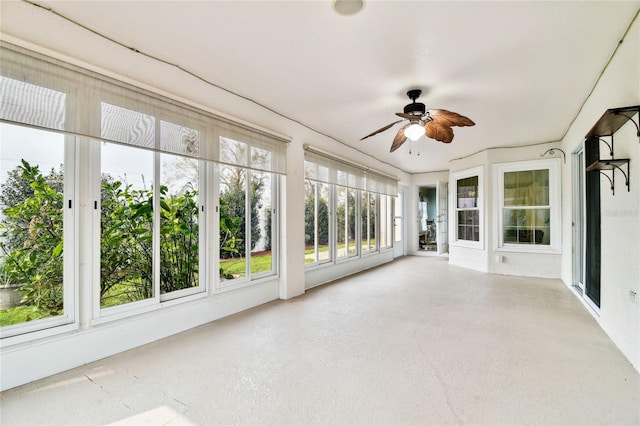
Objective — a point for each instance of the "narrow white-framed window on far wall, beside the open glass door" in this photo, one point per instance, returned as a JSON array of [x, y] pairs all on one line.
[[468, 227]]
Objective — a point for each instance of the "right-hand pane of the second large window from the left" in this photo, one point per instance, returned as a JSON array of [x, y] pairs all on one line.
[[179, 228]]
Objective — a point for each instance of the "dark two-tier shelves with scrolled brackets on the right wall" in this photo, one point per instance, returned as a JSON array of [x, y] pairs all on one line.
[[610, 122]]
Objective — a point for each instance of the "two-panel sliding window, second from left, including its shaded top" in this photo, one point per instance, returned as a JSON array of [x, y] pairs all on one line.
[[150, 233]]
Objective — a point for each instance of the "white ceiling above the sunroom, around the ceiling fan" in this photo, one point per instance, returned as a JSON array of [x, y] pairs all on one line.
[[520, 70]]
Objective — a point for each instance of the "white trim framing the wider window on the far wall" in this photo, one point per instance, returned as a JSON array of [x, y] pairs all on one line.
[[555, 224]]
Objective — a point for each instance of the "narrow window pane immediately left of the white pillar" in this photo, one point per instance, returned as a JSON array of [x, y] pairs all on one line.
[[261, 222]]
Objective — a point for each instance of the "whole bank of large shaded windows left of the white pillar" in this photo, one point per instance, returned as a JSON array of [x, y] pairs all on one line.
[[148, 167]]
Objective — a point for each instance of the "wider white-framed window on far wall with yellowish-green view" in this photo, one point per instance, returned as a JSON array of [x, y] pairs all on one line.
[[529, 203]]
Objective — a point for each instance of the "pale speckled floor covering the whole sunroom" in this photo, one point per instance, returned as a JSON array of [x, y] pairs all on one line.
[[416, 341]]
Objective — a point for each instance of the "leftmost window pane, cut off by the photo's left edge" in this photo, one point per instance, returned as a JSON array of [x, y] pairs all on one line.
[[31, 224]]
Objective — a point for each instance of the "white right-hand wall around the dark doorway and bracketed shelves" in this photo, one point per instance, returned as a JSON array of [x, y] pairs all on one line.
[[619, 86]]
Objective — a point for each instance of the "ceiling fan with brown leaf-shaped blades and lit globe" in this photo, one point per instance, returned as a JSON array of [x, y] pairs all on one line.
[[435, 123]]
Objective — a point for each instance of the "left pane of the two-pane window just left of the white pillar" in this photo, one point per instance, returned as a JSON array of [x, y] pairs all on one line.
[[233, 197]]
